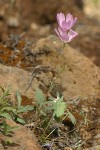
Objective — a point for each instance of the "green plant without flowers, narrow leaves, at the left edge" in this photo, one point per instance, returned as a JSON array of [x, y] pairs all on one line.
[[11, 111]]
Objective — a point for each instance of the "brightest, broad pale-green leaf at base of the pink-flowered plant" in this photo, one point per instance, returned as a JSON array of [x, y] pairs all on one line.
[[59, 108]]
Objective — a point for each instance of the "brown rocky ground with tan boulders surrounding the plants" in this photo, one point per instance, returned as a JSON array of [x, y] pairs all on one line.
[[31, 56]]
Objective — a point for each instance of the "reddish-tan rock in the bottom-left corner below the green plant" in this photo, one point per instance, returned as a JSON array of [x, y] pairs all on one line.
[[22, 138]]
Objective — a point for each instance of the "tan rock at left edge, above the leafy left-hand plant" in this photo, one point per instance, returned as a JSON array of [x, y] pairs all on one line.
[[17, 78]]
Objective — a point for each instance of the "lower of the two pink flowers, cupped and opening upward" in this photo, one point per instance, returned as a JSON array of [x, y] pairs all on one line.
[[64, 35]]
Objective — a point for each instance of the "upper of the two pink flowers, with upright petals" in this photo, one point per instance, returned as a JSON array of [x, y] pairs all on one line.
[[66, 22]]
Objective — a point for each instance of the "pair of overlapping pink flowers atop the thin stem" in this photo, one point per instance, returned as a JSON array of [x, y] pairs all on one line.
[[65, 23]]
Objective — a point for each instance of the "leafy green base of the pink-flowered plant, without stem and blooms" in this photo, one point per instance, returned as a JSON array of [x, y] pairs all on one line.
[[50, 110]]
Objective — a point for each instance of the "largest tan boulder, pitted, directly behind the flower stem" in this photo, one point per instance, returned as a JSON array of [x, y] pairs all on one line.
[[80, 78]]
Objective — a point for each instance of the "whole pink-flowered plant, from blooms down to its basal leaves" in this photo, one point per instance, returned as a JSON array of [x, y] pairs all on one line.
[[51, 109]]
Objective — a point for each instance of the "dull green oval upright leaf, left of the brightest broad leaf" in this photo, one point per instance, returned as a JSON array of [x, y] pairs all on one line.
[[40, 96]]
